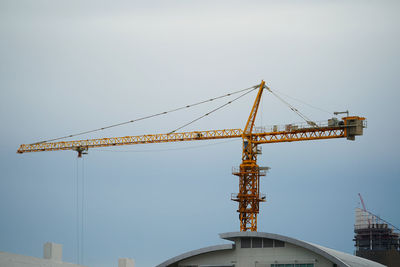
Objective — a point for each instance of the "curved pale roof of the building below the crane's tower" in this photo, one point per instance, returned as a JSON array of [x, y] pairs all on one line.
[[340, 258]]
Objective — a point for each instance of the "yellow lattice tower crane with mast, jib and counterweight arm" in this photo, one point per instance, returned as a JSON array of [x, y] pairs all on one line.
[[249, 172]]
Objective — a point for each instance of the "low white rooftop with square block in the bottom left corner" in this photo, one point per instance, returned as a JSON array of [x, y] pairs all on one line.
[[52, 257]]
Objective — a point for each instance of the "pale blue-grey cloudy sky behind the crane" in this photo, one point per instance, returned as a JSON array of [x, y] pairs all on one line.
[[71, 66]]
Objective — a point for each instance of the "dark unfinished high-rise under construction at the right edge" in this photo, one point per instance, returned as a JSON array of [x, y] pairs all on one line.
[[376, 239]]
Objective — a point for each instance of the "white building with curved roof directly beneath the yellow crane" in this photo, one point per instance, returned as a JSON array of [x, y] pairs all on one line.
[[256, 249]]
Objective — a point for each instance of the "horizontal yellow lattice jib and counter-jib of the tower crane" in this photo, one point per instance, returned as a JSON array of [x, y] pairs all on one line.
[[349, 127]]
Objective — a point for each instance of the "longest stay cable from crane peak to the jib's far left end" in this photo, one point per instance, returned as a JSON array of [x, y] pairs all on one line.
[[147, 117]]
